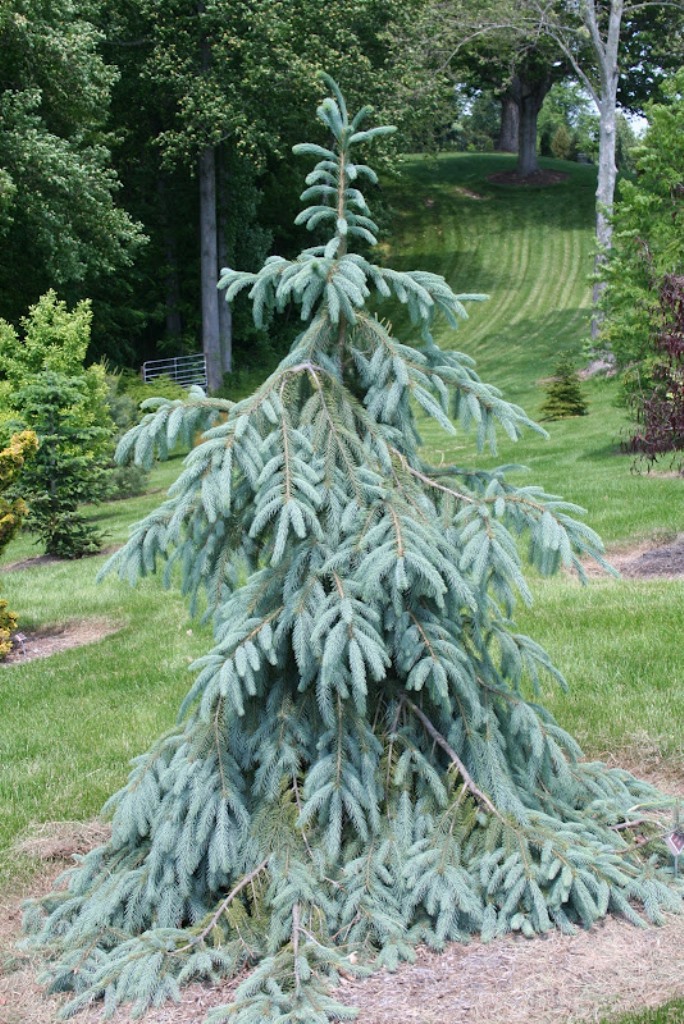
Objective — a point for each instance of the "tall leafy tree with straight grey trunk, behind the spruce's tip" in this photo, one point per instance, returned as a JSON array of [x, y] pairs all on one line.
[[229, 74]]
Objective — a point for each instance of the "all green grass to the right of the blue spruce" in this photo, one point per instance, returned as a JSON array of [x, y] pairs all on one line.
[[532, 250]]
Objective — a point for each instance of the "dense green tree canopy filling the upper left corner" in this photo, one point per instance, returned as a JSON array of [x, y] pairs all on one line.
[[60, 219]]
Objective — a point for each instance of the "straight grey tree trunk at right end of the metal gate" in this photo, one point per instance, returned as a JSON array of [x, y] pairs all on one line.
[[211, 343]]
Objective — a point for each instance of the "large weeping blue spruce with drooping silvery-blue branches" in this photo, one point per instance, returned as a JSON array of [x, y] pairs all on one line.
[[359, 766]]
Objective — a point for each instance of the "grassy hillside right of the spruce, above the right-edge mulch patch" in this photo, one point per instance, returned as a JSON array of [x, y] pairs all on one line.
[[531, 250]]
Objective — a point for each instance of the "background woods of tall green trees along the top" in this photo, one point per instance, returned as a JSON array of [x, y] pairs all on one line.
[[145, 146]]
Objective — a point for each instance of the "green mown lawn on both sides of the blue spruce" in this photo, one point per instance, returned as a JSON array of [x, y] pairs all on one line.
[[70, 724]]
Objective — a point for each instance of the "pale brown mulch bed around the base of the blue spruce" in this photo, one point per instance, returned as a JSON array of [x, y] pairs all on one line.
[[549, 980]]
